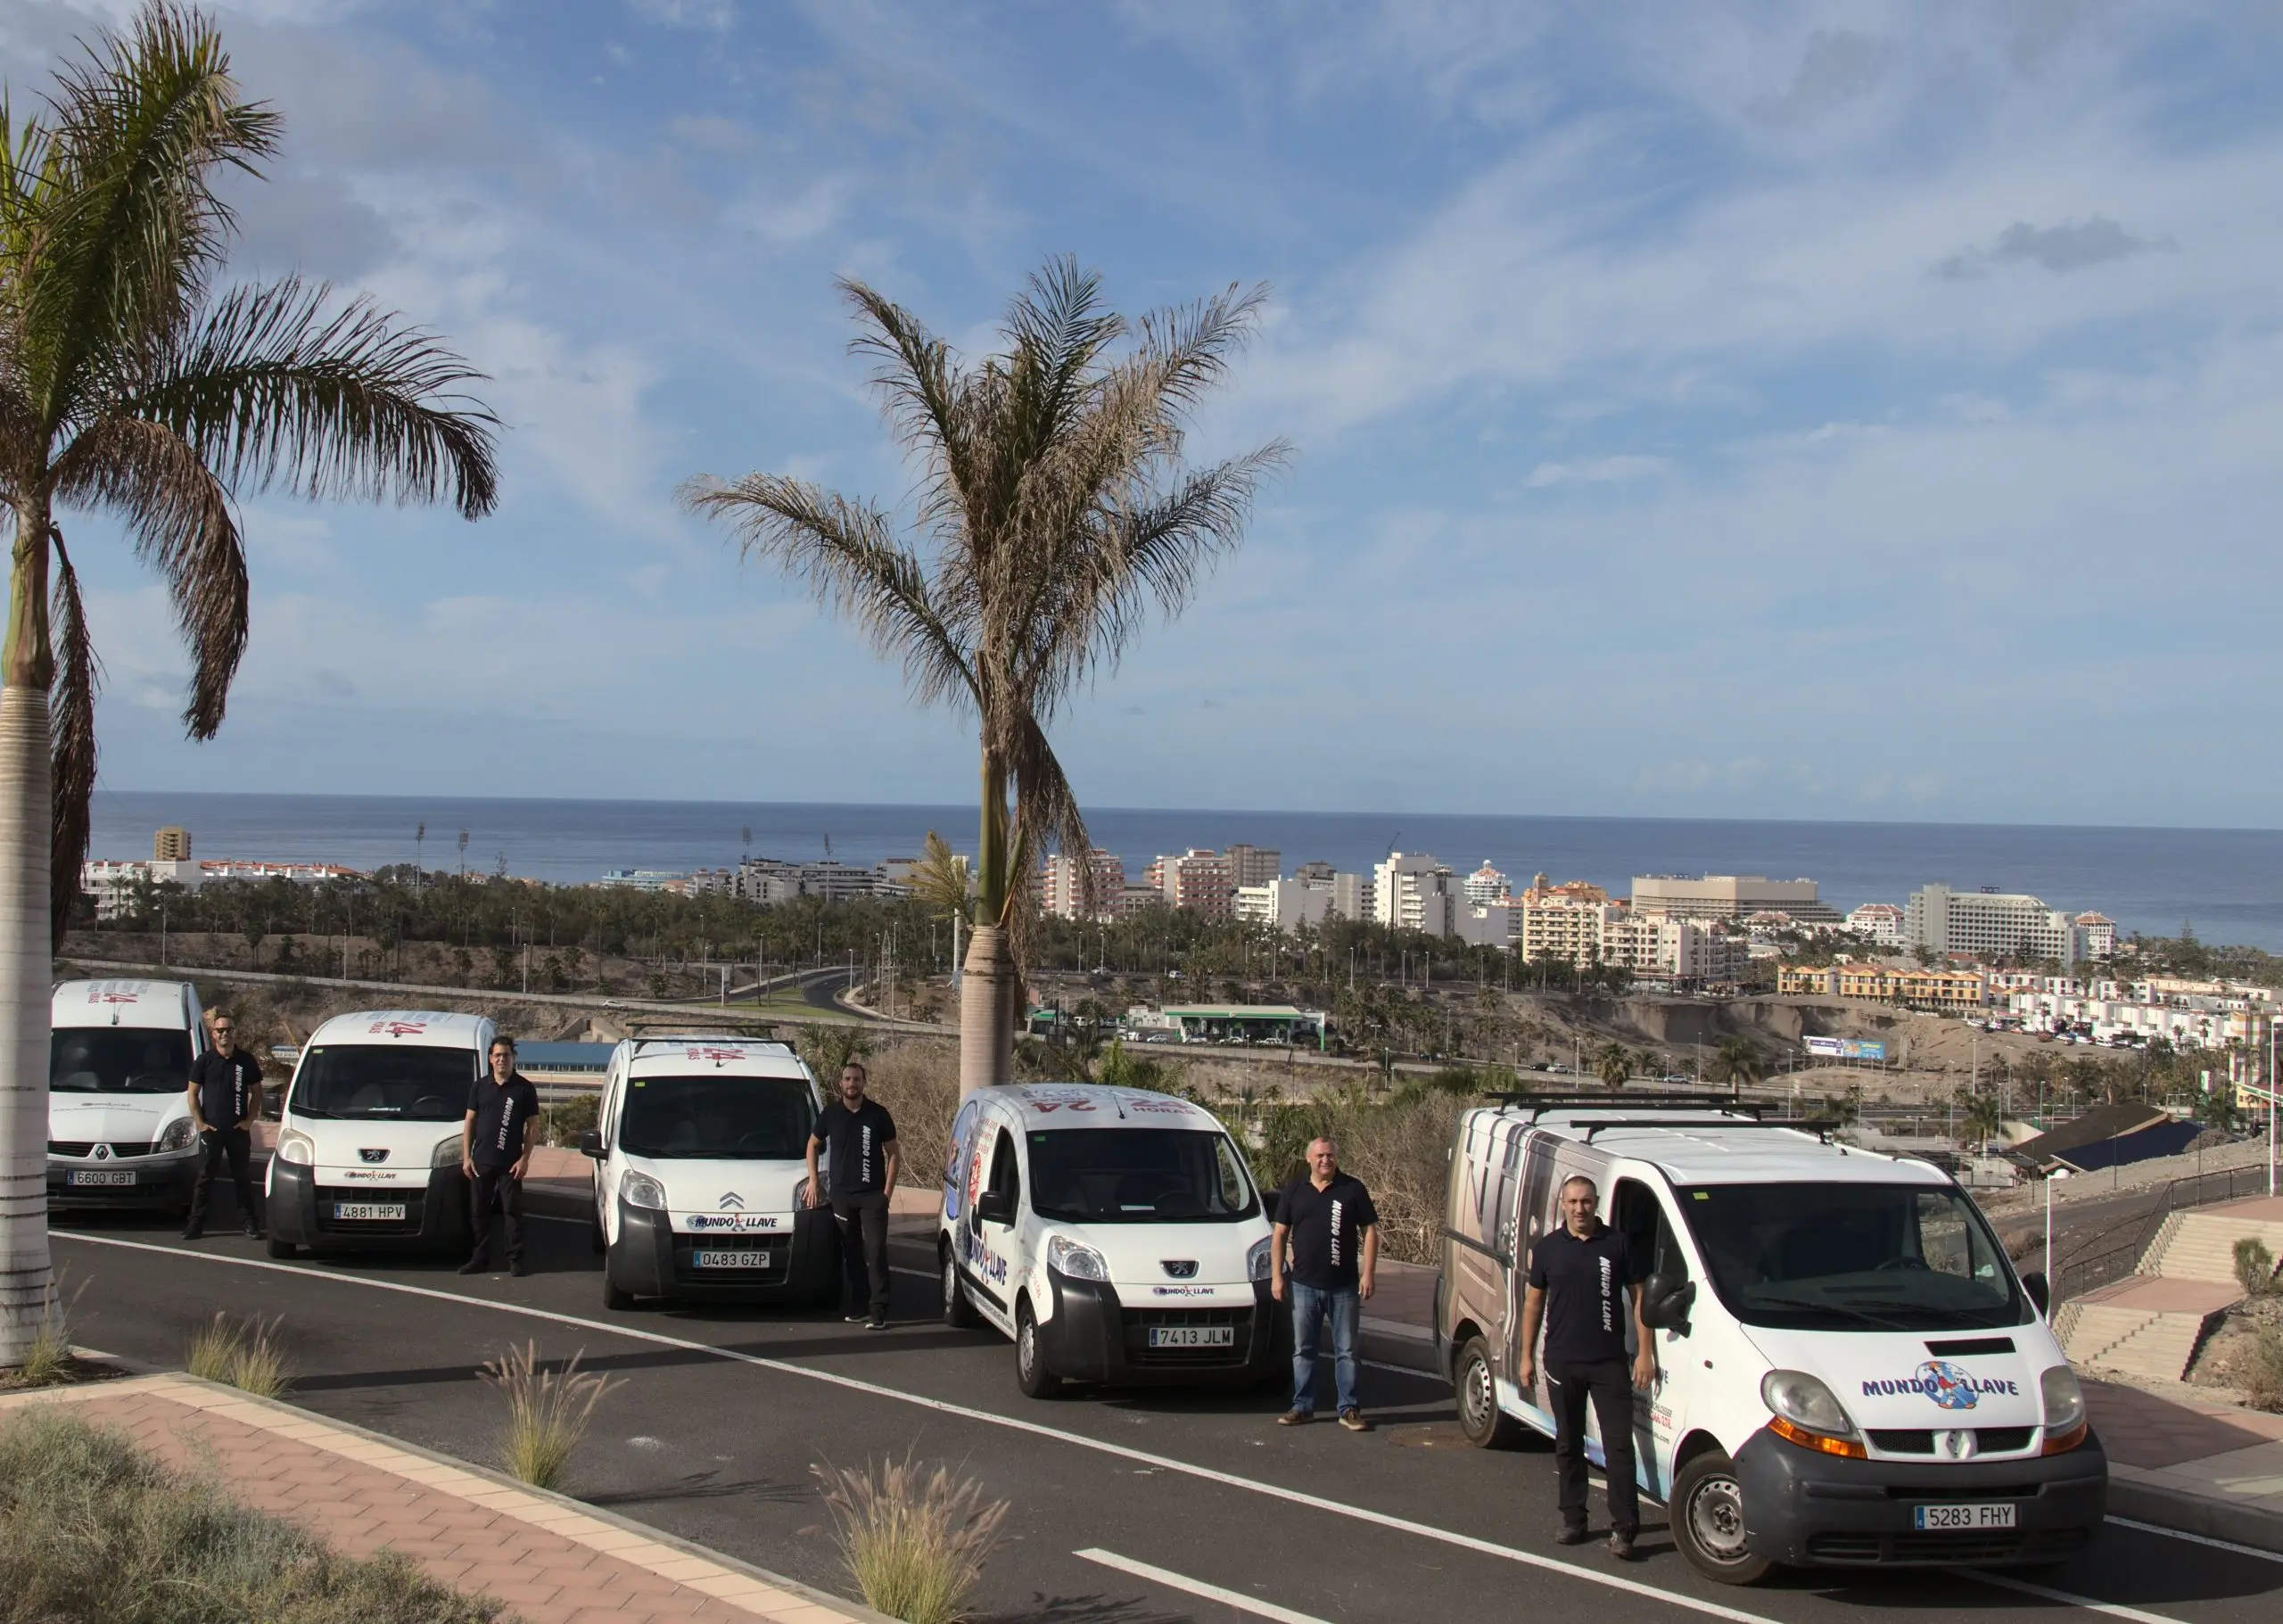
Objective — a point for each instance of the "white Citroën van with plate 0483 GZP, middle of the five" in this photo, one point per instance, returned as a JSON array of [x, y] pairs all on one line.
[[702, 1171]]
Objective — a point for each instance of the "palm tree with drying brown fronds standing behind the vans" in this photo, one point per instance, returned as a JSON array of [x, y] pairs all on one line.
[[1054, 513]]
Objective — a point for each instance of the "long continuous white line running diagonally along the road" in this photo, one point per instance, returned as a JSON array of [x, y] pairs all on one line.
[[985, 1417]]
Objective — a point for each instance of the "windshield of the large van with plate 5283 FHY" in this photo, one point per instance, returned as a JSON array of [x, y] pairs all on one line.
[[1853, 1257]]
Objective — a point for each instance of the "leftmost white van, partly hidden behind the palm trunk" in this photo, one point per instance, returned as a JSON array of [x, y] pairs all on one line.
[[120, 1129]]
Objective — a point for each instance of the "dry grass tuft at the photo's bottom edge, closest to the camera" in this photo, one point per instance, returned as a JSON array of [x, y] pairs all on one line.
[[914, 1541]]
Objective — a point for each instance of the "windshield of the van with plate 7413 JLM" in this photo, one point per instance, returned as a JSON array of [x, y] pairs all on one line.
[[1138, 1175]]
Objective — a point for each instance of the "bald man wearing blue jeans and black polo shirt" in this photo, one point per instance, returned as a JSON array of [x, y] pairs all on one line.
[[1332, 1230]]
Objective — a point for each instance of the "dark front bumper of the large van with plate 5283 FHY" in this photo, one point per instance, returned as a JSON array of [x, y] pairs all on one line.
[[1823, 1511]]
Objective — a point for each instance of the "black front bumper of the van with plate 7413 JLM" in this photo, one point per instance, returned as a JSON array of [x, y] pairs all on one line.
[[1095, 1337]]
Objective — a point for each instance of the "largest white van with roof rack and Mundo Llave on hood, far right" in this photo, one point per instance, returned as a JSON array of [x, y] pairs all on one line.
[[1850, 1372]]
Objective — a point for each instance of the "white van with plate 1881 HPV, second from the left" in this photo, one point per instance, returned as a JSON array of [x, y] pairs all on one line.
[[369, 1145]]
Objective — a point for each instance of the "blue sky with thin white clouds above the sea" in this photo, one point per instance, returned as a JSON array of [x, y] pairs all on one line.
[[1723, 410]]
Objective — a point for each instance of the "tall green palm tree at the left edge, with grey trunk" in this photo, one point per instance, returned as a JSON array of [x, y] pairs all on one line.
[[131, 385]]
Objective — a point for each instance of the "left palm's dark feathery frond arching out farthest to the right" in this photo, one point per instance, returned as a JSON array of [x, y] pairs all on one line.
[[280, 389]]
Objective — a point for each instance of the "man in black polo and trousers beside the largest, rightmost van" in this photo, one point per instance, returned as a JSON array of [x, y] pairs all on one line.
[[1586, 1287]]
